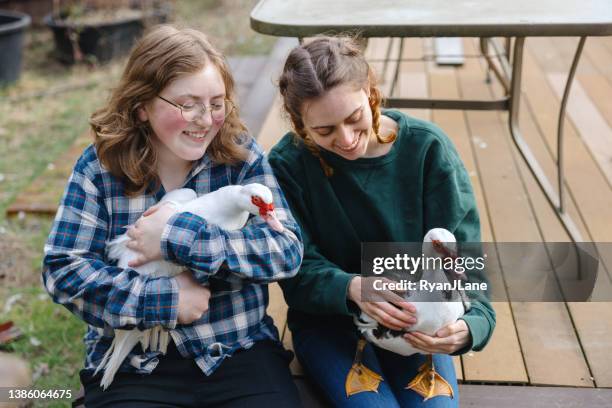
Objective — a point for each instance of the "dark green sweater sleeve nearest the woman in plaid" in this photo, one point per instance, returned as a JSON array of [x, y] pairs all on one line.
[[320, 287]]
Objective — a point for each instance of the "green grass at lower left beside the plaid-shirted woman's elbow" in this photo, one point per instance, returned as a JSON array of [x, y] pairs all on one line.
[[61, 348]]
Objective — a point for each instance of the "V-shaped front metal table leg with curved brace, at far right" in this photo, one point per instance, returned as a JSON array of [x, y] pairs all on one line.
[[555, 199]]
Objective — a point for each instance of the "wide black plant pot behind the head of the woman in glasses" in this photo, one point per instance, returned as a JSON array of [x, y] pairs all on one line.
[[103, 41]]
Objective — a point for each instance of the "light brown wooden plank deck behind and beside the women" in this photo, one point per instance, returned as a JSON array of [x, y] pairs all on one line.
[[537, 344]]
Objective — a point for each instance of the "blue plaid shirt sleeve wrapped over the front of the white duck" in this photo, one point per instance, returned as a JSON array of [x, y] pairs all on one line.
[[255, 252]]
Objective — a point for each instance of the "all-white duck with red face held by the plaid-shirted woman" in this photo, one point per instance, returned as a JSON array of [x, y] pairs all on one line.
[[229, 208]]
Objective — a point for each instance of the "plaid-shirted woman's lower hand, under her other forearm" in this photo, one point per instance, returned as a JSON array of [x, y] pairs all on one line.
[[193, 298]]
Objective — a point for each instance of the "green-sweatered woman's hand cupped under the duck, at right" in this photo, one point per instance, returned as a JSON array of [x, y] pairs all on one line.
[[447, 340]]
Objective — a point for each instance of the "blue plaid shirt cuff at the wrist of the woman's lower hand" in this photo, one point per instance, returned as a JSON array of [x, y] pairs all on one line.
[[161, 302]]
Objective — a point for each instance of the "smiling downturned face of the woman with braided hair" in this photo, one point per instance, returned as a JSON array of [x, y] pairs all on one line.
[[340, 121]]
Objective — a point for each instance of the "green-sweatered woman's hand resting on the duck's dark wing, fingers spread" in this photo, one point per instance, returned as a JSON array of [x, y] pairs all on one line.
[[391, 310]]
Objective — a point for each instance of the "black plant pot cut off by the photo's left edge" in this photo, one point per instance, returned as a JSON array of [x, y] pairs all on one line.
[[12, 29]]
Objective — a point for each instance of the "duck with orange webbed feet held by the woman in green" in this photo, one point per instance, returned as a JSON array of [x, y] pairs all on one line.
[[434, 310]]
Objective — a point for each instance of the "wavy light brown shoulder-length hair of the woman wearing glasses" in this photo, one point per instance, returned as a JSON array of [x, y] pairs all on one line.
[[123, 142]]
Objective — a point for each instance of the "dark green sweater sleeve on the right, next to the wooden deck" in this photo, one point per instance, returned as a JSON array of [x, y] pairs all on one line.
[[449, 203]]
